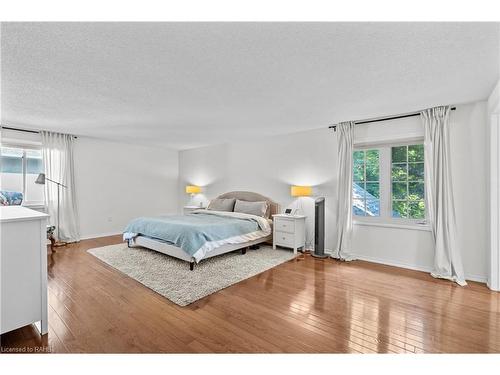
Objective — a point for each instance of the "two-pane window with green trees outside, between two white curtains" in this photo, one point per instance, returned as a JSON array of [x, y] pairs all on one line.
[[389, 183]]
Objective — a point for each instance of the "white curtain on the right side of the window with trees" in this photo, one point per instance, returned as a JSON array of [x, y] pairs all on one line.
[[439, 195]]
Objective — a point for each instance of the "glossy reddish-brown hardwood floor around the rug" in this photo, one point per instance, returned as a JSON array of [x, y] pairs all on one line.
[[308, 306]]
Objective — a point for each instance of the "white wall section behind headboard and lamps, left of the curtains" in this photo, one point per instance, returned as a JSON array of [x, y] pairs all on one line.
[[268, 166]]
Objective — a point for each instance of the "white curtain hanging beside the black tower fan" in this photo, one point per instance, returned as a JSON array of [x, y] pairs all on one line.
[[345, 141]]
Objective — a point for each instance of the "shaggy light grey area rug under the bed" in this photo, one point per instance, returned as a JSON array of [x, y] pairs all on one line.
[[172, 278]]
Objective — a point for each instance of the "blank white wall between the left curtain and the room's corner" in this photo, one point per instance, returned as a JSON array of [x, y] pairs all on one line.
[[116, 182]]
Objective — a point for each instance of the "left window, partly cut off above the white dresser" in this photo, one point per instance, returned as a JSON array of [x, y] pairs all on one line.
[[19, 169]]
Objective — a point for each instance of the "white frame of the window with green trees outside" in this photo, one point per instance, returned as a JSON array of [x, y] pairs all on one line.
[[385, 218]]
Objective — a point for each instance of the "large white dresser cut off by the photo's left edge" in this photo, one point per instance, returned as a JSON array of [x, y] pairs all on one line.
[[23, 268]]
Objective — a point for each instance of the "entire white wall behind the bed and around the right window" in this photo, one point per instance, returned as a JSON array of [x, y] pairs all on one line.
[[271, 165]]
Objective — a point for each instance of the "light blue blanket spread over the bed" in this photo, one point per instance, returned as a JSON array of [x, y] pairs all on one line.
[[191, 232]]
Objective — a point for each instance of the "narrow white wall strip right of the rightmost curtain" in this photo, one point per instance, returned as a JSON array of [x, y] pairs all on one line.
[[470, 158]]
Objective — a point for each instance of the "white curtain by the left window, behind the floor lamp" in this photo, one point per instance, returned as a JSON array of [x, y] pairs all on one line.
[[57, 151]]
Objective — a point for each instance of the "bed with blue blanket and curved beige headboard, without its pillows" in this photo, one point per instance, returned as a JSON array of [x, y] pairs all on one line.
[[180, 236]]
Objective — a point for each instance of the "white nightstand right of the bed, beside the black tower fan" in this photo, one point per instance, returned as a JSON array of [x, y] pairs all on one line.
[[289, 231]]
